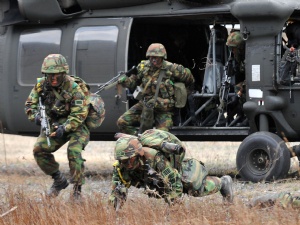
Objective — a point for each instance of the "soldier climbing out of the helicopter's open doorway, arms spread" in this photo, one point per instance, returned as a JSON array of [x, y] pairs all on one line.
[[148, 72]]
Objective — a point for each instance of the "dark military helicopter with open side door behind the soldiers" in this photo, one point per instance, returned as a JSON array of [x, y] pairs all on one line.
[[101, 38]]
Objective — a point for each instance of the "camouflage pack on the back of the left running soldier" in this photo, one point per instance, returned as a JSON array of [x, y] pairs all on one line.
[[96, 113]]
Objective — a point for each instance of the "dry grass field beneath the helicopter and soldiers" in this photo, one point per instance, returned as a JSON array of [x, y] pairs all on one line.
[[22, 188]]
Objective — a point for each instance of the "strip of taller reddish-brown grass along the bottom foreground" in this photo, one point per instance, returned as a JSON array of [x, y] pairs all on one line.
[[27, 208]]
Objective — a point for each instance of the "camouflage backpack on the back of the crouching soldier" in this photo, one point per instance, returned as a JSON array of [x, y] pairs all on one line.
[[155, 138]]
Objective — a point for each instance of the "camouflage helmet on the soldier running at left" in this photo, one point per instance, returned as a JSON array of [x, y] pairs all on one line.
[[55, 63]]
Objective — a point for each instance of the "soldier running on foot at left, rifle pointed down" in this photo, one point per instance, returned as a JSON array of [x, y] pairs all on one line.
[[66, 107]]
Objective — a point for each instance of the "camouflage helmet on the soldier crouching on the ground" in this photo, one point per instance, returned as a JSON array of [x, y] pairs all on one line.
[[127, 147]]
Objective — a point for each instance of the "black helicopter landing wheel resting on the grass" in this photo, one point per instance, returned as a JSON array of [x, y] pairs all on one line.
[[263, 156]]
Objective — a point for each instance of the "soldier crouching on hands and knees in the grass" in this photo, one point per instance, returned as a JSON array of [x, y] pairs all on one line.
[[149, 168]]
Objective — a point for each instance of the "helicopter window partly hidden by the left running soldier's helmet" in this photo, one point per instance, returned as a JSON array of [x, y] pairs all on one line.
[[34, 45]]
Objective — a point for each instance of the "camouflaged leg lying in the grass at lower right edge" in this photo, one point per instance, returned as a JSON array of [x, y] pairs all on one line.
[[285, 199]]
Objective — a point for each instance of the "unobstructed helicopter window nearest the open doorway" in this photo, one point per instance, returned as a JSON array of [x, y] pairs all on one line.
[[94, 53]]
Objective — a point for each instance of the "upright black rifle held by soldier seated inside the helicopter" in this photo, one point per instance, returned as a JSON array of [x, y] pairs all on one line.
[[224, 89]]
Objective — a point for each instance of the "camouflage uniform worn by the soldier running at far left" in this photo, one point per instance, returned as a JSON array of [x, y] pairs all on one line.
[[70, 112]]
